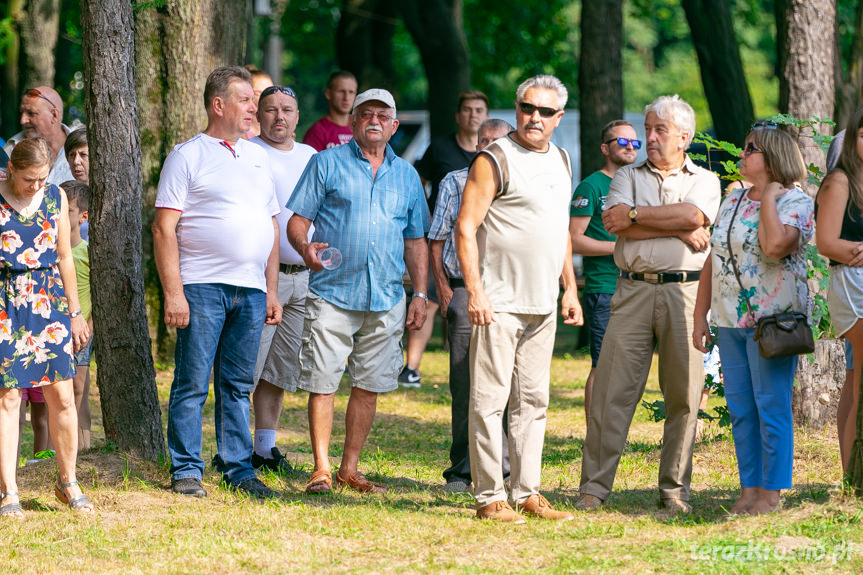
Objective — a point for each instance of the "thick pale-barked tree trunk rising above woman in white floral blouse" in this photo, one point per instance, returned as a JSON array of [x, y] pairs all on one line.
[[805, 44]]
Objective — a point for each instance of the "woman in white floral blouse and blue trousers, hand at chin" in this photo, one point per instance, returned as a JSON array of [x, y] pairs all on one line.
[[770, 223]]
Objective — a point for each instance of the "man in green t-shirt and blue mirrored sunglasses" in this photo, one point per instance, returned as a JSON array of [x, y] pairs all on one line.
[[589, 238]]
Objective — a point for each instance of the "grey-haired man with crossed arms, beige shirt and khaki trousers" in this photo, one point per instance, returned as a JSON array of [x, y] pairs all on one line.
[[659, 209]]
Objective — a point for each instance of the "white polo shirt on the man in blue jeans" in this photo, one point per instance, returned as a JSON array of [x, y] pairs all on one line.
[[227, 199]]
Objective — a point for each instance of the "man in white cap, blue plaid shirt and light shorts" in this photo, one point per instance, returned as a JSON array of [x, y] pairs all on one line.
[[368, 203]]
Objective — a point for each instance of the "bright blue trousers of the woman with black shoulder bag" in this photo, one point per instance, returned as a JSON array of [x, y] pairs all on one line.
[[758, 393]]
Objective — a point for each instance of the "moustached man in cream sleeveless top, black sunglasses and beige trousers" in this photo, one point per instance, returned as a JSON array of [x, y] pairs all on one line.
[[513, 245]]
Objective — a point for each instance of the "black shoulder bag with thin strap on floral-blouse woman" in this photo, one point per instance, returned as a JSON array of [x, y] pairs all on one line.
[[779, 335]]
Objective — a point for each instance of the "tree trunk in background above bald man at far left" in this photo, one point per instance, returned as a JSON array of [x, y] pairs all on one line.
[[39, 29]]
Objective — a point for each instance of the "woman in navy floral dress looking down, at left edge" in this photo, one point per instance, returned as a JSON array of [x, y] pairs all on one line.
[[40, 321]]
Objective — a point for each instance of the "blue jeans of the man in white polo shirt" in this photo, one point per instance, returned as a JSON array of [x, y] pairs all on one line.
[[223, 334]]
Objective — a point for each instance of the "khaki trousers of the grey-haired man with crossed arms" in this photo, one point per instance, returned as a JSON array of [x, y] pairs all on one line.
[[645, 315]]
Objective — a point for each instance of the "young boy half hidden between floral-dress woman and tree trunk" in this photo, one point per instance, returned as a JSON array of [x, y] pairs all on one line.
[[78, 196]]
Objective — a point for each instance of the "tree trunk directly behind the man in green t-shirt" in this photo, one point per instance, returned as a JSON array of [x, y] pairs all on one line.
[[600, 76]]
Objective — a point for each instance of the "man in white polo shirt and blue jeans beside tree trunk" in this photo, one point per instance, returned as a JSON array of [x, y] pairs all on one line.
[[217, 252]]
